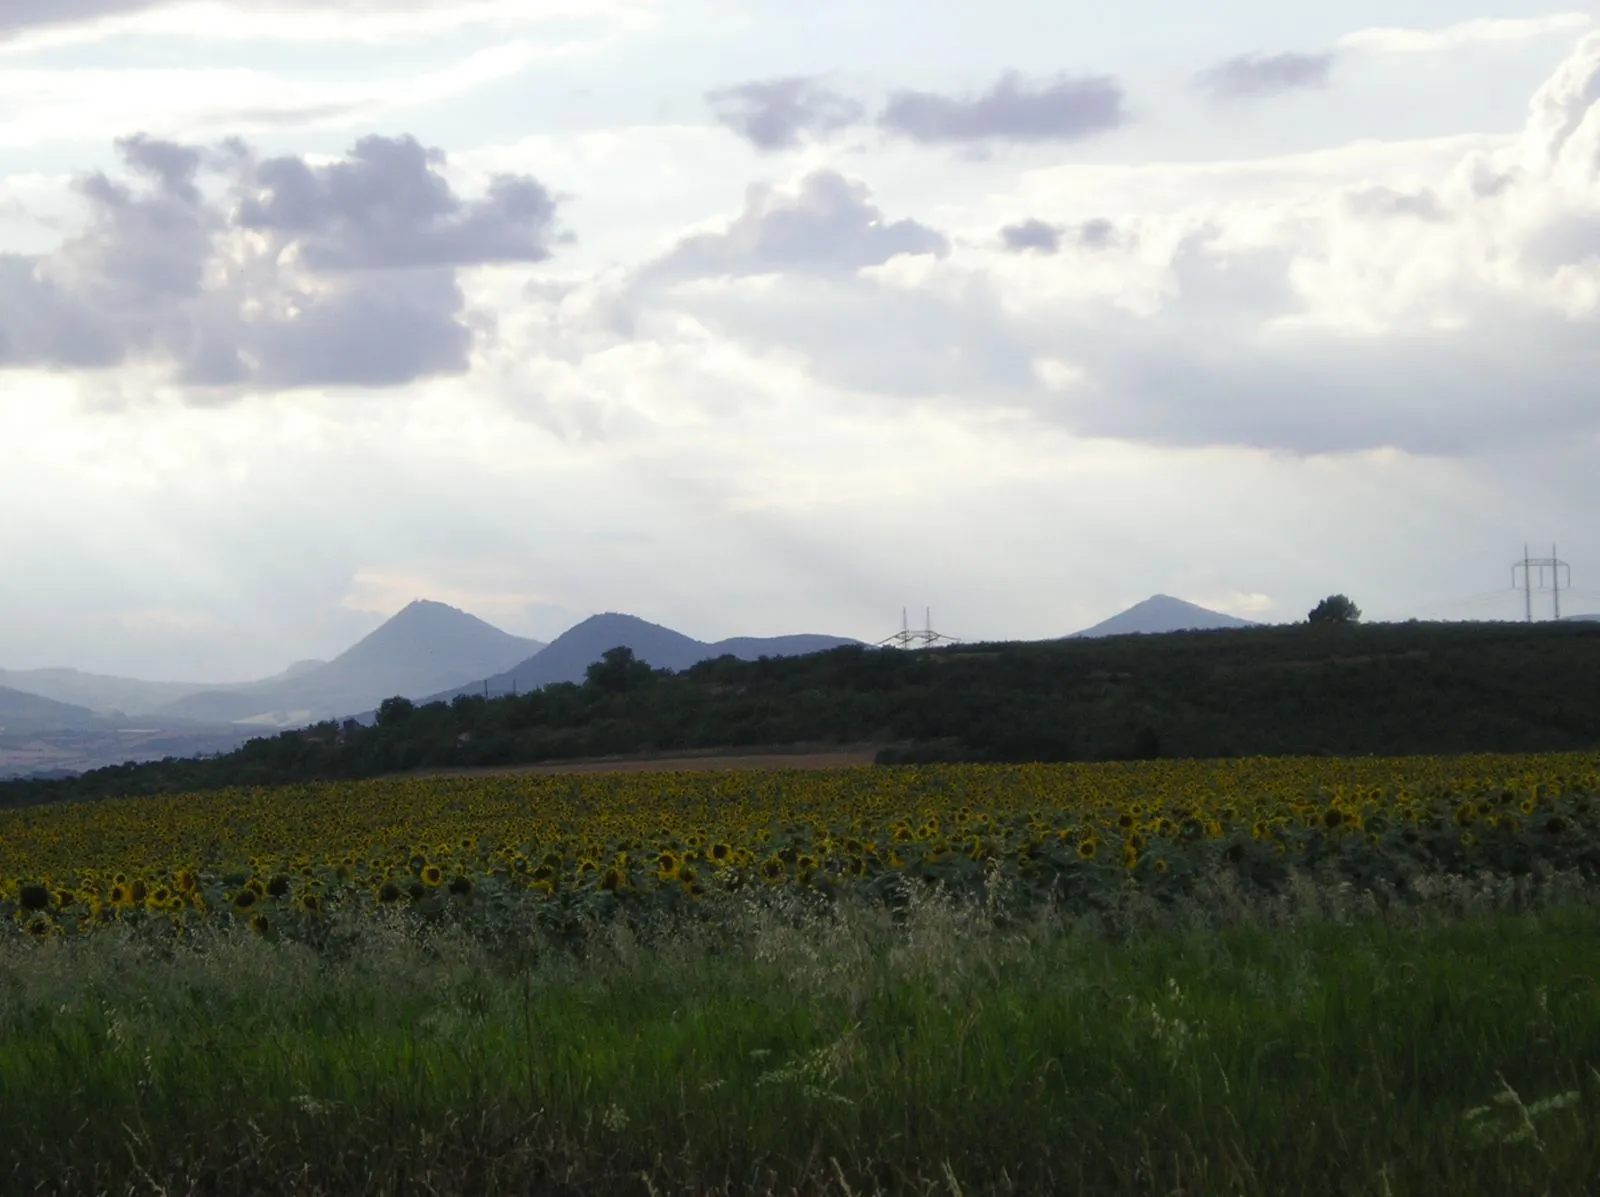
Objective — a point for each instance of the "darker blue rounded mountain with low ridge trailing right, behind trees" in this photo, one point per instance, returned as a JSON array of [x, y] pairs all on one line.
[[570, 655]]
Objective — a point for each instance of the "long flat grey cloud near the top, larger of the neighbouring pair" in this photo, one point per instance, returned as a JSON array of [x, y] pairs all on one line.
[[1014, 110]]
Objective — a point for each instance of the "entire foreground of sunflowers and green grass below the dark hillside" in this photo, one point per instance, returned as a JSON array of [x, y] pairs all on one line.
[[1294, 975]]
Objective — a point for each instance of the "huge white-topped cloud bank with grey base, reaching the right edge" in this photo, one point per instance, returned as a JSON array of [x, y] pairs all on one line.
[[1367, 306]]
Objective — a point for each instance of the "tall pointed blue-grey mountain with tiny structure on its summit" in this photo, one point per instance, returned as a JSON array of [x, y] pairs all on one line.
[[425, 649]]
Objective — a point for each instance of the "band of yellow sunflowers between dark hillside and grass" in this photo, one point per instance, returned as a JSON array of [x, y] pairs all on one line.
[[279, 860]]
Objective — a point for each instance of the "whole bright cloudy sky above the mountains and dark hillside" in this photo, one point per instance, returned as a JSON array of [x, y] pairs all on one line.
[[753, 318]]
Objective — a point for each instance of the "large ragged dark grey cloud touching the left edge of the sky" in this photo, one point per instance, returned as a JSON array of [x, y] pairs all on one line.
[[350, 278]]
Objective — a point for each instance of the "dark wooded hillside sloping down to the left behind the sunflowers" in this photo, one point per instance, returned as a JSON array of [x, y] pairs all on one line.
[[1327, 687]]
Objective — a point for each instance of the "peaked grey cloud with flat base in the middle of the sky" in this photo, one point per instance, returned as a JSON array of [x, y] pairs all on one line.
[[831, 225]]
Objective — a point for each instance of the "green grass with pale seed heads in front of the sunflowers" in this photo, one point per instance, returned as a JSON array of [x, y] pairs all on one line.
[[1302, 1049]]
